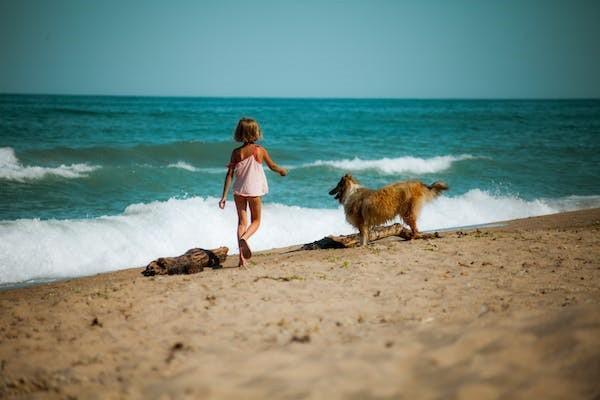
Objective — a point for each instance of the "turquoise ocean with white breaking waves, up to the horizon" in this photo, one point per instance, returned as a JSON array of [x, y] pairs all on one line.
[[91, 184]]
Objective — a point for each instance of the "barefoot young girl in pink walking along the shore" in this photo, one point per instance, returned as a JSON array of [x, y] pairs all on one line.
[[250, 181]]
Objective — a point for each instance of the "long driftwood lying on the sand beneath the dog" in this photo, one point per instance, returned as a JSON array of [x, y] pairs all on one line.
[[345, 241]]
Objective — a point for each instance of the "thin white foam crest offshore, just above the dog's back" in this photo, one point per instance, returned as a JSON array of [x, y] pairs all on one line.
[[413, 165]]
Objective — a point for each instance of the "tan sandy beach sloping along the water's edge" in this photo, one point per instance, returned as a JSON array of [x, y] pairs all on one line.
[[498, 313]]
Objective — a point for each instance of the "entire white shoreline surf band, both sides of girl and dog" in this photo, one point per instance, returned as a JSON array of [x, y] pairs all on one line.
[[36, 249]]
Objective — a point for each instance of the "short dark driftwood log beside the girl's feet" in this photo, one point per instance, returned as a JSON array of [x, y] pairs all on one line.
[[193, 261]]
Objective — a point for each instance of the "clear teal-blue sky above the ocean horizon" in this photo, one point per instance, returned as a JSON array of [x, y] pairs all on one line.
[[414, 49]]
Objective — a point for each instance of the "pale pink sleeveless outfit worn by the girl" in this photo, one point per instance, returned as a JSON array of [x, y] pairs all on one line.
[[250, 179]]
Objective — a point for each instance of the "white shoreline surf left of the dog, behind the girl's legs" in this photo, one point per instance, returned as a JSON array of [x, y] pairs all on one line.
[[32, 249]]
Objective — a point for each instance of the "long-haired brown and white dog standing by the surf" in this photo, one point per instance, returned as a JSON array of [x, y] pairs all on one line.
[[366, 208]]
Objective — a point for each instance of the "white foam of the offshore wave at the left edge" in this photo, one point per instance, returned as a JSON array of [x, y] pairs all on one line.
[[11, 168]]
